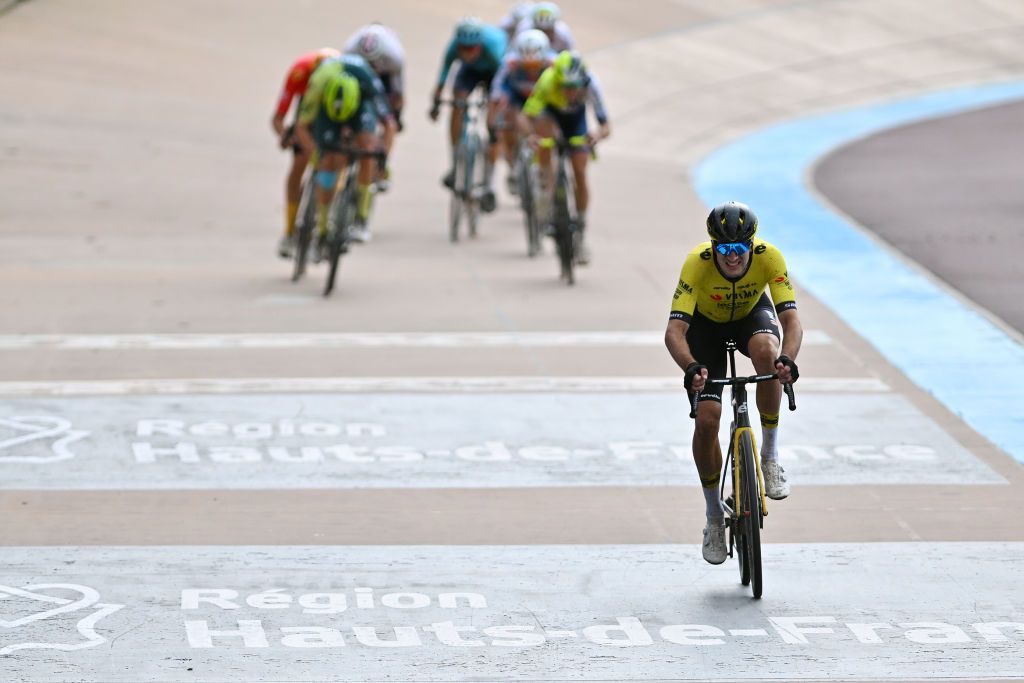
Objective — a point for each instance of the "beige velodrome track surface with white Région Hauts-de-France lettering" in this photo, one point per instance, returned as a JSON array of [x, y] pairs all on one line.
[[508, 504]]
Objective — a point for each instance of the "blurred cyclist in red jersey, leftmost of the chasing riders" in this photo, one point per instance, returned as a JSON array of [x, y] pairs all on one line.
[[295, 87]]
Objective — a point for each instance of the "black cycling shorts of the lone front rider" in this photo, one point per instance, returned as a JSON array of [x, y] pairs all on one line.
[[707, 340]]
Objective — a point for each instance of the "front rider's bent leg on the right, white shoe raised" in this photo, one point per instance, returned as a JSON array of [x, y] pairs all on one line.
[[761, 340]]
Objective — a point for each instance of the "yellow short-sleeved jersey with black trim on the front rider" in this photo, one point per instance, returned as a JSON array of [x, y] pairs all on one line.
[[703, 289]]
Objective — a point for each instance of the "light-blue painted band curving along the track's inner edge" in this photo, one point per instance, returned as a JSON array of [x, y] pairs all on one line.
[[935, 339]]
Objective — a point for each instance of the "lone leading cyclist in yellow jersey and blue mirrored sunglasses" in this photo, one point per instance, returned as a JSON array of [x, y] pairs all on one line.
[[722, 295]]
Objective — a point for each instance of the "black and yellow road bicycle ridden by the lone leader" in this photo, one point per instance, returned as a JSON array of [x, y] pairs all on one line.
[[747, 506]]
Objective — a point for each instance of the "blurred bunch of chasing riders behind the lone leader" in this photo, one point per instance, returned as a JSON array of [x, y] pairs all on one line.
[[536, 83]]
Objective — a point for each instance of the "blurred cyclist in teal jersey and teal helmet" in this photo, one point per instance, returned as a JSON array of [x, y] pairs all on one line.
[[480, 50]]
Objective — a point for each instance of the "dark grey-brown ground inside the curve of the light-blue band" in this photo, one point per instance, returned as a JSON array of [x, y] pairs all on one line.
[[953, 209]]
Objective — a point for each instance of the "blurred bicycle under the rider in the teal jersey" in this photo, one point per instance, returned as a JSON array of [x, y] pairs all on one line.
[[471, 168]]
